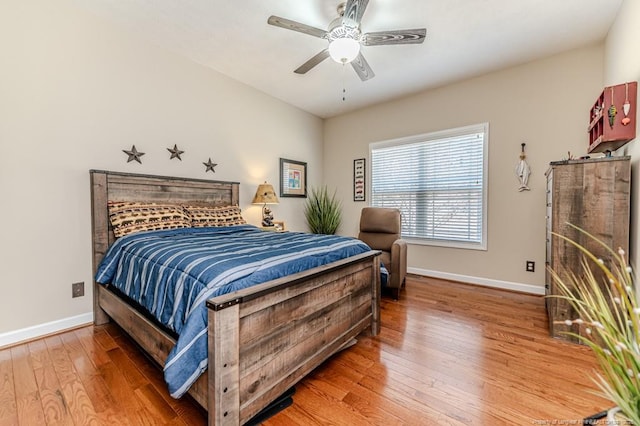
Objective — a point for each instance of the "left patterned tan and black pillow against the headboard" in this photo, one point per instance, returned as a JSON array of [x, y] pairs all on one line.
[[129, 217]]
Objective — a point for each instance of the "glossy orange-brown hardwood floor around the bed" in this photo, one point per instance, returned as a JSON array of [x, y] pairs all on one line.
[[448, 354]]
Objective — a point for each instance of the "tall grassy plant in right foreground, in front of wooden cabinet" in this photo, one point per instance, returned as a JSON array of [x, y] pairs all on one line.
[[609, 314]]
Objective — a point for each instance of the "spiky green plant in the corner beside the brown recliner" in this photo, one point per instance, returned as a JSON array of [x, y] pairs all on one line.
[[323, 211]]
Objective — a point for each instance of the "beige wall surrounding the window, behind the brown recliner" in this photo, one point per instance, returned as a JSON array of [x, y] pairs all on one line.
[[544, 104]]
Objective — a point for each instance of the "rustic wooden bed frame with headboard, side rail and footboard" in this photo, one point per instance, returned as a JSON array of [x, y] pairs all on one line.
[[262, 339]]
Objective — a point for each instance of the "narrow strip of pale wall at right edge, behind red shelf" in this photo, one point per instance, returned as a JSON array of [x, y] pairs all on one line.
[[622, 64]]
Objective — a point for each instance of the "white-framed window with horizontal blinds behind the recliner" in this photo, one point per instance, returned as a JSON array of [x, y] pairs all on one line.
[[438, 181]]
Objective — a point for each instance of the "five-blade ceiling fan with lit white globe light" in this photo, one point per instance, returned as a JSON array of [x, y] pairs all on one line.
[[345, 38]]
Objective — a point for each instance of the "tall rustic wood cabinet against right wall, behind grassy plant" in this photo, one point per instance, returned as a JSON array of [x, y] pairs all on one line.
[[593, 194]]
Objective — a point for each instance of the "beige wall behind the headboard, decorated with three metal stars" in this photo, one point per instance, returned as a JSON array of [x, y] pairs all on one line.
[[74, 92]]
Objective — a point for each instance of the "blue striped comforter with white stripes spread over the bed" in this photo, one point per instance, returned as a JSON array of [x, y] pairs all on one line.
[[173, 272]]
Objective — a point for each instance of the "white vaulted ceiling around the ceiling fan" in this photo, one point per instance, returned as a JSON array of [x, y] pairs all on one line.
[[465, 38]]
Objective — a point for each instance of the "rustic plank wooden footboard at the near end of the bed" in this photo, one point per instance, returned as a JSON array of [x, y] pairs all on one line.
[[262, 342]]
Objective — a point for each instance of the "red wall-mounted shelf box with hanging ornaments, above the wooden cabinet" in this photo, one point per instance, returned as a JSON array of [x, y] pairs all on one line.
[[612, 118]]
